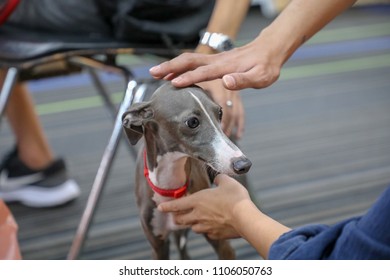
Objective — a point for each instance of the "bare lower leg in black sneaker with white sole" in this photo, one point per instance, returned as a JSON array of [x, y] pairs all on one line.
[[30, 174]]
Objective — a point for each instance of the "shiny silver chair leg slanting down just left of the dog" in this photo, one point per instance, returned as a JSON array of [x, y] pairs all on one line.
[[102, 173]]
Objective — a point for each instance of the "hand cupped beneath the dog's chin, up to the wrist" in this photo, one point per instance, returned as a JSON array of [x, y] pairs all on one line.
[[210, 211]]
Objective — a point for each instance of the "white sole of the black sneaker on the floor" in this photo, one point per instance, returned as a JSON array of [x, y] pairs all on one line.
[[40, 197]]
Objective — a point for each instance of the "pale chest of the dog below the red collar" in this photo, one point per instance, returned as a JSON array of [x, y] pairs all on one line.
[[163, 223]]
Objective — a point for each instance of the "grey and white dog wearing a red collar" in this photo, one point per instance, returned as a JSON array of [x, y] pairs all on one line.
[[183, 147]]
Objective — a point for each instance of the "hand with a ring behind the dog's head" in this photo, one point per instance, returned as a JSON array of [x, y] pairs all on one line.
[[233, 118]]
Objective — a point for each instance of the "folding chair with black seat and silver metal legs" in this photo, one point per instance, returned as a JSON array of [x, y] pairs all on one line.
[[26, 56]]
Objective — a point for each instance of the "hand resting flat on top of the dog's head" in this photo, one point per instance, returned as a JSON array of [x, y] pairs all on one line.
[[255, 65]]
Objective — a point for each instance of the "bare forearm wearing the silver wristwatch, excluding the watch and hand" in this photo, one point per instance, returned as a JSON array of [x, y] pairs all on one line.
[[226, 18]]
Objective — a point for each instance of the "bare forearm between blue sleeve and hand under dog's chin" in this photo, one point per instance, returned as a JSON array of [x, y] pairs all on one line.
[[257, 228]]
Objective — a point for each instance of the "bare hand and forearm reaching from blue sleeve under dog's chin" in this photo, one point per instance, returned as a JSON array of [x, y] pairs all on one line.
[[226, 212]]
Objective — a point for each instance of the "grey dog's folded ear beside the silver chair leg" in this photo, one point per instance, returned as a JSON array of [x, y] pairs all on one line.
[[133, 120]]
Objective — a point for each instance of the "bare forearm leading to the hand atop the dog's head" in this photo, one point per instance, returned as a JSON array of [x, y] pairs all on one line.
[[298, 22]]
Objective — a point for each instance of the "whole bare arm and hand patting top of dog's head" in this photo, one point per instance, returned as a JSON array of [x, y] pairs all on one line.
[[258, 63]]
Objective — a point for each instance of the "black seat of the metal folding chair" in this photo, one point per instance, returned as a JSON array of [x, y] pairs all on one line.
[[18, 45]]
